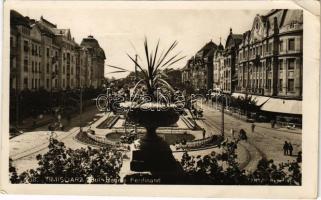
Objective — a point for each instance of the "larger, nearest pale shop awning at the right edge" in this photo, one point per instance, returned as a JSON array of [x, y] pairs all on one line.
[[283, 106]]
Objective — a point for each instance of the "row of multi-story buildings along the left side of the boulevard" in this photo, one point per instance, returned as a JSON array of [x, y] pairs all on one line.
[[47, 57]]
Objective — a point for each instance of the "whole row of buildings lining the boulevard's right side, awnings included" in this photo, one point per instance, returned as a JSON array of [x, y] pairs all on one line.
[[264, 63]]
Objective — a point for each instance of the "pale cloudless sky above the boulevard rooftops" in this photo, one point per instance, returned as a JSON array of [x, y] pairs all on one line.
[[122, 31]]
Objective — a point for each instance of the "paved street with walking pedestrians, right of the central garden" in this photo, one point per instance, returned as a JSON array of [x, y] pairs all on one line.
[[263, 142]]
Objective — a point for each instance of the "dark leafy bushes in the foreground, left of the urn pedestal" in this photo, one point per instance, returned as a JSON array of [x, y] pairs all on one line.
[[62, 165]]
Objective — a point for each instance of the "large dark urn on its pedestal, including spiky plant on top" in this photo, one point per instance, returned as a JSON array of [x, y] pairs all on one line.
[[152, 158]]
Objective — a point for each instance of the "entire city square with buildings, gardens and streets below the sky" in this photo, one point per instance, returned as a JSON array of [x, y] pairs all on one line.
[[230, 114]]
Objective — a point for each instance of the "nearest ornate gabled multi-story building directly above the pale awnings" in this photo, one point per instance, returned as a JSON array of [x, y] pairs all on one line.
[[271, 55]]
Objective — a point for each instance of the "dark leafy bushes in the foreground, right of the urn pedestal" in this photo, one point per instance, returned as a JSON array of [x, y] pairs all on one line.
[[222, 168]]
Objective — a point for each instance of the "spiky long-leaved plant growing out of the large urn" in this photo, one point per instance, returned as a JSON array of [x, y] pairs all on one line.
[[152, 72]]
